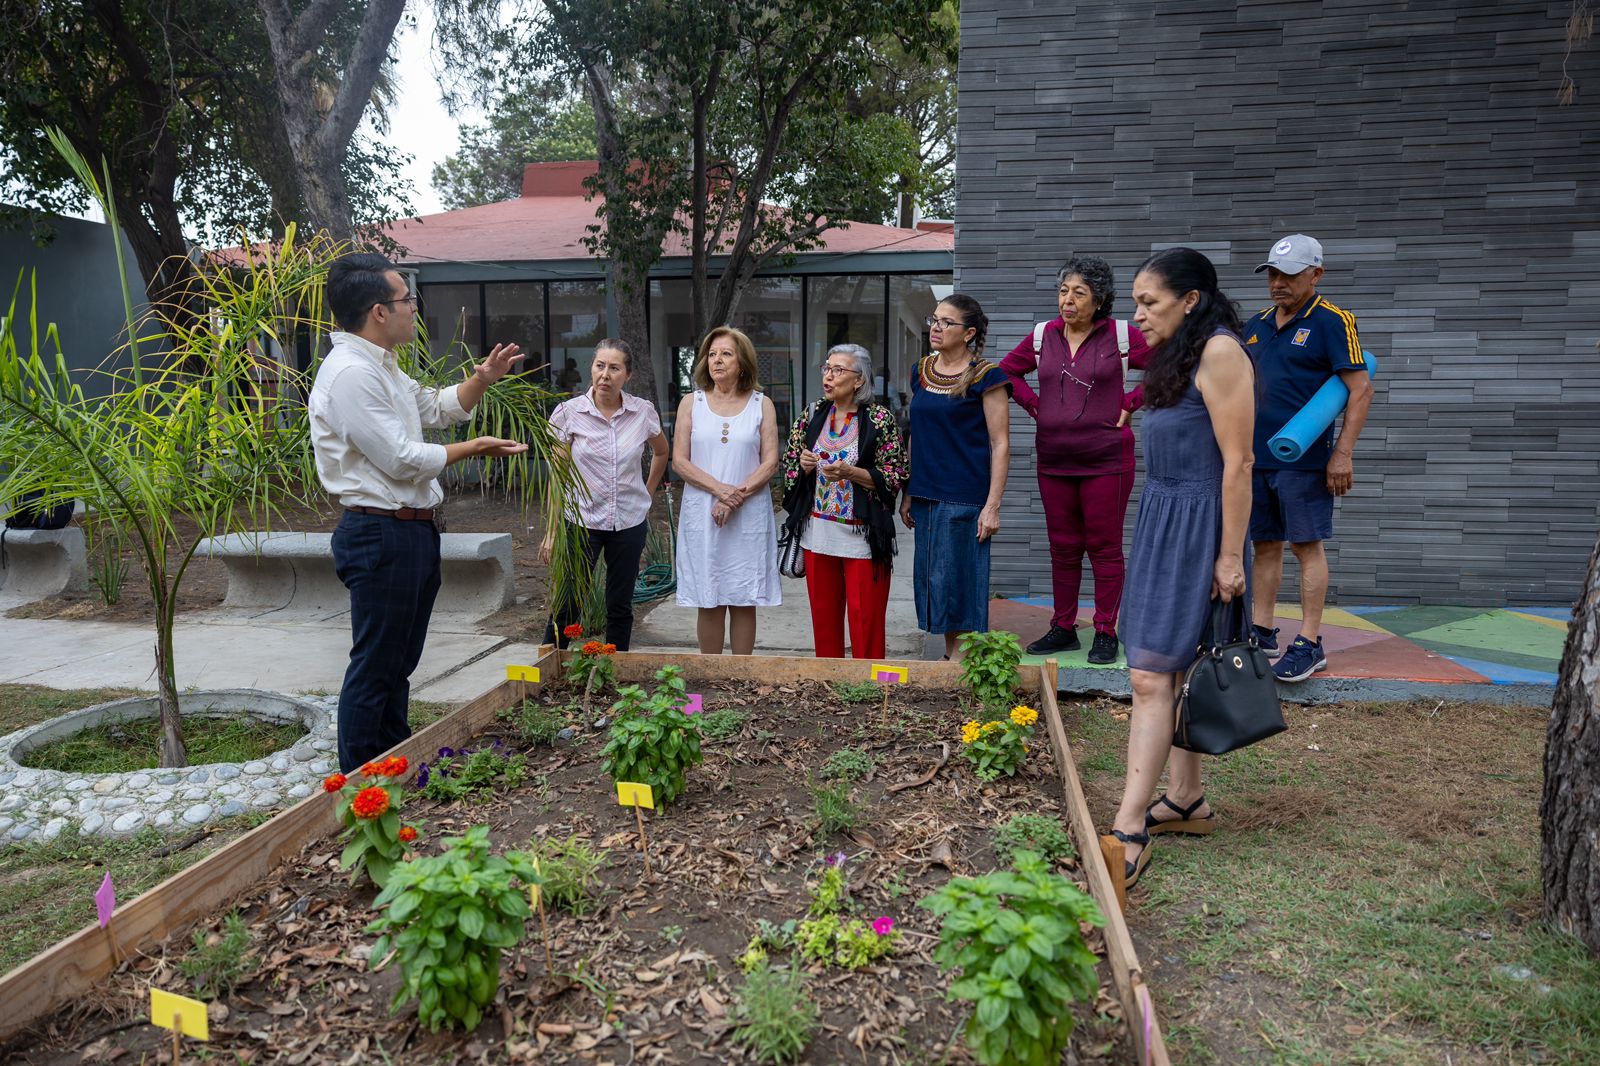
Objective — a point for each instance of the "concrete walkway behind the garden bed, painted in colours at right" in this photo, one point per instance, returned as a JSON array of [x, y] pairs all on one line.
[[1375, 652]]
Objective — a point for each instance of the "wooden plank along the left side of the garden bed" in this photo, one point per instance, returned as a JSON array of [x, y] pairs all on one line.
[[198, 892]]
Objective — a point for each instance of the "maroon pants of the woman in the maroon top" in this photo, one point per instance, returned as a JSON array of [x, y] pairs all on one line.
[[1084, 515]]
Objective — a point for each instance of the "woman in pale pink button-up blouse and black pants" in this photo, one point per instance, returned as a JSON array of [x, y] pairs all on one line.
[[607, 431]]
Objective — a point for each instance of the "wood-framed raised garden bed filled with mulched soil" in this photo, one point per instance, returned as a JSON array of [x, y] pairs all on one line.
[[650, 972]]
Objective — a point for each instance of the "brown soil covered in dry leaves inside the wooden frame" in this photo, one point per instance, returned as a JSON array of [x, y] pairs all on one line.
[[649, 976]]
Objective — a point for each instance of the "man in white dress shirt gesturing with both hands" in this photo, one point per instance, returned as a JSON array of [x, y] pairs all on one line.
[[367, 423]]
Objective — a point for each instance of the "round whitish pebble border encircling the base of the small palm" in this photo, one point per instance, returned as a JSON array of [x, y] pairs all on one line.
[[44, 804]]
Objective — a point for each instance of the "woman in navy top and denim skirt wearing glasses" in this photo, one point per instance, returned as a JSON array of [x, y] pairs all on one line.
[[961, 447]]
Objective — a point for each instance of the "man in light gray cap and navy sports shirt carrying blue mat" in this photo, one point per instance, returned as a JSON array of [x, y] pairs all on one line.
[[1298, 343]]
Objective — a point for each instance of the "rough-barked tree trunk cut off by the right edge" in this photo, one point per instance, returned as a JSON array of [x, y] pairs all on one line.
[[1570, 812]]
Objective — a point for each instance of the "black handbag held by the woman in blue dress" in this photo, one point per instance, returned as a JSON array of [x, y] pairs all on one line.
[[1230, 697]]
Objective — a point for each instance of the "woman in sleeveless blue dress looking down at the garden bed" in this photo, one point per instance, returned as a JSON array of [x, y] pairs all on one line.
[[1190, 539]]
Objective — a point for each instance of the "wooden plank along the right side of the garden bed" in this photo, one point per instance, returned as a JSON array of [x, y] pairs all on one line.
[[1138, 1008]]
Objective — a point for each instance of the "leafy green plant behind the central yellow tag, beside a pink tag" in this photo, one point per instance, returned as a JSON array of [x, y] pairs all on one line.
[[652, 740]]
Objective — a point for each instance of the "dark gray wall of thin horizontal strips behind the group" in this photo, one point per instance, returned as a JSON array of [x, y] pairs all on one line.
[[1457, 201]]
